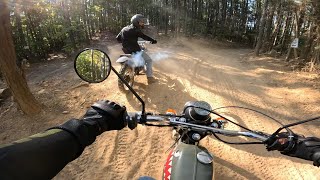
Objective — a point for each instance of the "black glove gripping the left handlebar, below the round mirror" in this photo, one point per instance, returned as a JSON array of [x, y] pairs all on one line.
[[102, 116]]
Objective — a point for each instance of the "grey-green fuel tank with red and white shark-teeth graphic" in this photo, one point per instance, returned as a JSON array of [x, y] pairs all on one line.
[[188, 162]]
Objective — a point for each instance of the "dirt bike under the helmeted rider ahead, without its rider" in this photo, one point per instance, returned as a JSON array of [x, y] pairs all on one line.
[[131, 66]]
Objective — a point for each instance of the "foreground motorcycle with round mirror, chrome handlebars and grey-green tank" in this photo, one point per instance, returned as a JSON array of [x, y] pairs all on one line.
[[187, 159]]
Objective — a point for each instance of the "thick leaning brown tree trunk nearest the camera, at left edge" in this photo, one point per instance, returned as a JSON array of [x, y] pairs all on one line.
[[13, 76]]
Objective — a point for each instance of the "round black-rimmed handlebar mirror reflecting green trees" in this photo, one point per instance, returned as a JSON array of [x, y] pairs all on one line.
[[92, 65]]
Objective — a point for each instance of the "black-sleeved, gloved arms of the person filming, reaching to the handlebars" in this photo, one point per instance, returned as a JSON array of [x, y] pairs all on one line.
[[43, 155]]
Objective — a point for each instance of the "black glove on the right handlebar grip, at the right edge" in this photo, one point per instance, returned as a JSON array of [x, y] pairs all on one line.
[[301, 147]]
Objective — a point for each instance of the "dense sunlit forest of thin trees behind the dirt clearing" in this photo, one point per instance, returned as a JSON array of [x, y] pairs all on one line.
[[44, 26]]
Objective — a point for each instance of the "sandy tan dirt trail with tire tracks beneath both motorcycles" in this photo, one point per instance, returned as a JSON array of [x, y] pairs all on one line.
[[192, 70]]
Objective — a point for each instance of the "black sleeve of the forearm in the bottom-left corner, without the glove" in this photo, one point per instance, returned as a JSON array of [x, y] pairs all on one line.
[[40, 156]]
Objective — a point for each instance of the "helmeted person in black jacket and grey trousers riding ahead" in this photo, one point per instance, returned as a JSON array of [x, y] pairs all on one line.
[[129, 35]]
